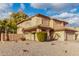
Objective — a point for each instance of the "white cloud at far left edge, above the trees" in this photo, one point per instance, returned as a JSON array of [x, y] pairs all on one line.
[[5, 10]]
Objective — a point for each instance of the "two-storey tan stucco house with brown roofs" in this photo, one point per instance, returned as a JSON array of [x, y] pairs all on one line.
[[54, 28]]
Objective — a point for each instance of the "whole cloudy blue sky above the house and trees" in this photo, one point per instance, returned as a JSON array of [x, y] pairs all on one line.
[[65, 11]]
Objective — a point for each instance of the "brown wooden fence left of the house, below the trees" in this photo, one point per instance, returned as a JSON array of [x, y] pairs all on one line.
[[11, 37]]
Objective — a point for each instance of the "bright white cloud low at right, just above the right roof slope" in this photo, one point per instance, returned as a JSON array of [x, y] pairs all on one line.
[[72, 18]]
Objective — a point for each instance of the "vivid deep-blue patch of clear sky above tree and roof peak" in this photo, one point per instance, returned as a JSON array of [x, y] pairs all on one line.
[[28, 9]]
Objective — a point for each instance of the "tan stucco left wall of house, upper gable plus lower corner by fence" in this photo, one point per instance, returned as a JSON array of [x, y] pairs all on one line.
[[30, 23]]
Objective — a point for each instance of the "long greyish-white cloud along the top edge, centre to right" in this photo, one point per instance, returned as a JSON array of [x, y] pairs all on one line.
[[53, 5]]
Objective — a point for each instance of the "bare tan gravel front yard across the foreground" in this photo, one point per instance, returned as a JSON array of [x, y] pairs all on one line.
[[32, 48]]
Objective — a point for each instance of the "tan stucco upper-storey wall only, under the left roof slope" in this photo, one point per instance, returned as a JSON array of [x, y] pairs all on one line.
[[30, 23]]
